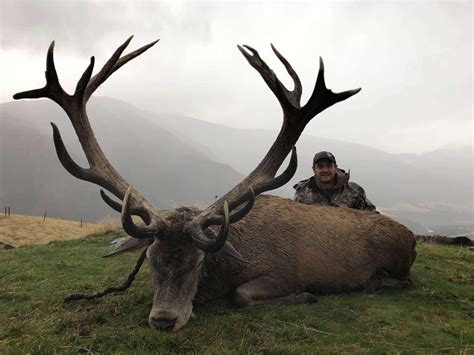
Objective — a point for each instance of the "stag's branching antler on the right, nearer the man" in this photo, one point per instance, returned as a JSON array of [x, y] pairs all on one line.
[[295, 119]]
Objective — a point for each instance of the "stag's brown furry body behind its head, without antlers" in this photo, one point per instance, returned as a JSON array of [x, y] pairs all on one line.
[[317, 249]]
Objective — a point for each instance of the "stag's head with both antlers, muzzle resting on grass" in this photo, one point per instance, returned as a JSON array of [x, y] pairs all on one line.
[[178, 243]]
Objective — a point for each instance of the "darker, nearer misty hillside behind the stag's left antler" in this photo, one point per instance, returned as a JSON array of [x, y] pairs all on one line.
[[162, 166]]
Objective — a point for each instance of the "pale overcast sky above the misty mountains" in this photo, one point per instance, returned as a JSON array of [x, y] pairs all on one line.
[[413, 60]]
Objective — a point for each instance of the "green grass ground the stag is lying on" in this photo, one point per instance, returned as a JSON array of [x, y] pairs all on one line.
[[437, 315]]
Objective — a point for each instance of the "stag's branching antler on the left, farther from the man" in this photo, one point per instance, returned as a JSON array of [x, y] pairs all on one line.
[[100, 172]]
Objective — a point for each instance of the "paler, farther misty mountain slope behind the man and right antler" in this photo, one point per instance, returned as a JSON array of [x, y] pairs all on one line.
[[410, 188]]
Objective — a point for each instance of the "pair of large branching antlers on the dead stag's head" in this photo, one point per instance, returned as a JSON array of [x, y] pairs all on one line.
[[224, 211]]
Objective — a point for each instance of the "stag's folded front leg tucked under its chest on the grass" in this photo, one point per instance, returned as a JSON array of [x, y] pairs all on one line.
[[266, 290]]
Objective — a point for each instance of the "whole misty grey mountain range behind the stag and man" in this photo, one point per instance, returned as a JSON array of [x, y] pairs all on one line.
[[174, 160]]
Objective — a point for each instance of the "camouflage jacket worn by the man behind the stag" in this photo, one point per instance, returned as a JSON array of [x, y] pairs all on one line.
[[344, 194]]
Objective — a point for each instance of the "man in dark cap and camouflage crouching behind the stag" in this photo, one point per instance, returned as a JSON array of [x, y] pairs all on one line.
[[330, 186]]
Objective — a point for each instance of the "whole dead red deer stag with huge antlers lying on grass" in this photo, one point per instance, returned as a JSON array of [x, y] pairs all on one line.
[[282, 252]]
